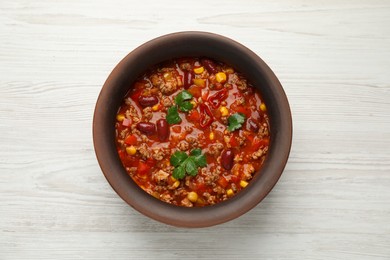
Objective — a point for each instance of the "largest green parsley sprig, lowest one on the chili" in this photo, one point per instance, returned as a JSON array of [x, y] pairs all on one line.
[[185, 164]]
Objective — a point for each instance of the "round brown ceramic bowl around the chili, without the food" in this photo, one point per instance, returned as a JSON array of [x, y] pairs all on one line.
[[196, 44]]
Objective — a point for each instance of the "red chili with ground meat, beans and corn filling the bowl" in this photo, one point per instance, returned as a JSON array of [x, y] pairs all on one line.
[[222, 119]]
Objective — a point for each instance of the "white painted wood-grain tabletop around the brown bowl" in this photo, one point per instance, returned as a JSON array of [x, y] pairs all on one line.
[[333, 59]]
